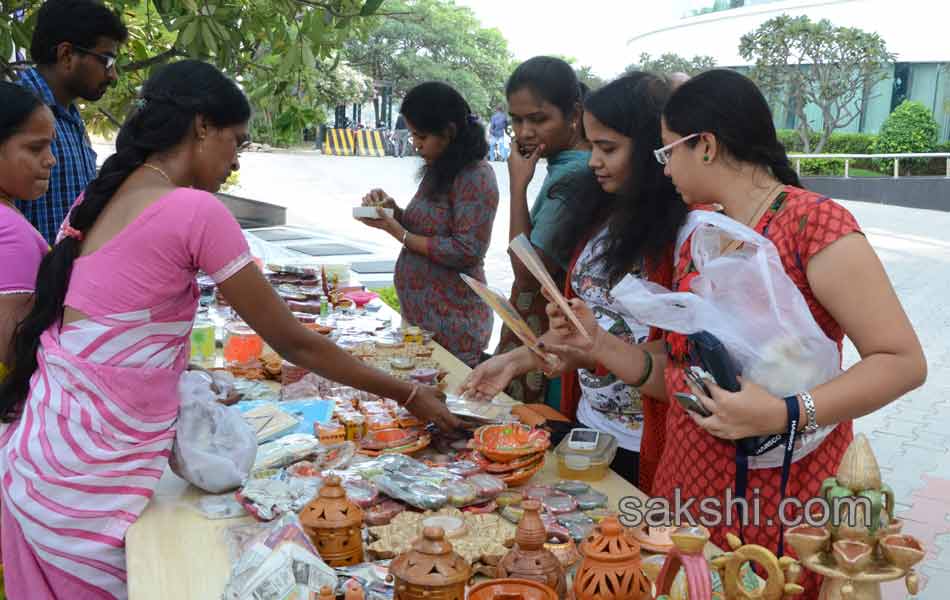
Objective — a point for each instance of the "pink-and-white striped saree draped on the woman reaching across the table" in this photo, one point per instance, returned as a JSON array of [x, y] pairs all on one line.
[[88, 451]]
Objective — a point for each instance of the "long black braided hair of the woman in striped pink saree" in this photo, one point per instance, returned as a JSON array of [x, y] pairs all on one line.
[[171, 99]]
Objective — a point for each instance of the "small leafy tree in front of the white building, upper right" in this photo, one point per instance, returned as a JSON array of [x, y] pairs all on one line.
[[800, 63]]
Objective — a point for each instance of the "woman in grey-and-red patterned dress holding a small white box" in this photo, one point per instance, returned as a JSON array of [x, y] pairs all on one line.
[[446, 228]]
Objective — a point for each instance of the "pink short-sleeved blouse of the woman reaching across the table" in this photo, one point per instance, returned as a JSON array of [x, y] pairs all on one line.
[[151, 264]]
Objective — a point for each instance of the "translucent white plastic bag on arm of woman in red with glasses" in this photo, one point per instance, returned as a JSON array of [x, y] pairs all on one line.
[[747, 300]]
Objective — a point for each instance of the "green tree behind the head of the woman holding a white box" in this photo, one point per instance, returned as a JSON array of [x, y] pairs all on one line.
[[426, 40]]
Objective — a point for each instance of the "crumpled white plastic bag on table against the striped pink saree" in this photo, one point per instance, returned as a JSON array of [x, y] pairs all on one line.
[[214, 446]]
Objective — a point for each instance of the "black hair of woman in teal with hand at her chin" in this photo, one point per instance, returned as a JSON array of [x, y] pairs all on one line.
[[552, 80]]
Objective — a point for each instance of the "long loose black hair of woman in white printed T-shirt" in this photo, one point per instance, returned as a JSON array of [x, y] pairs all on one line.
[[642, 218]]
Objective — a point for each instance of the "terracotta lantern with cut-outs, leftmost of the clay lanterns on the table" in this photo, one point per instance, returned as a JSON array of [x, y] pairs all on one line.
[[335, 525]]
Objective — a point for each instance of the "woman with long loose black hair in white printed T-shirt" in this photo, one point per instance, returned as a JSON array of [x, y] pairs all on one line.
[[626, 213]]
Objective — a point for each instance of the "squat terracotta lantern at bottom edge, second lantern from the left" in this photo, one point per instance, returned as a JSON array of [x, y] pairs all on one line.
[[431, 570]]
